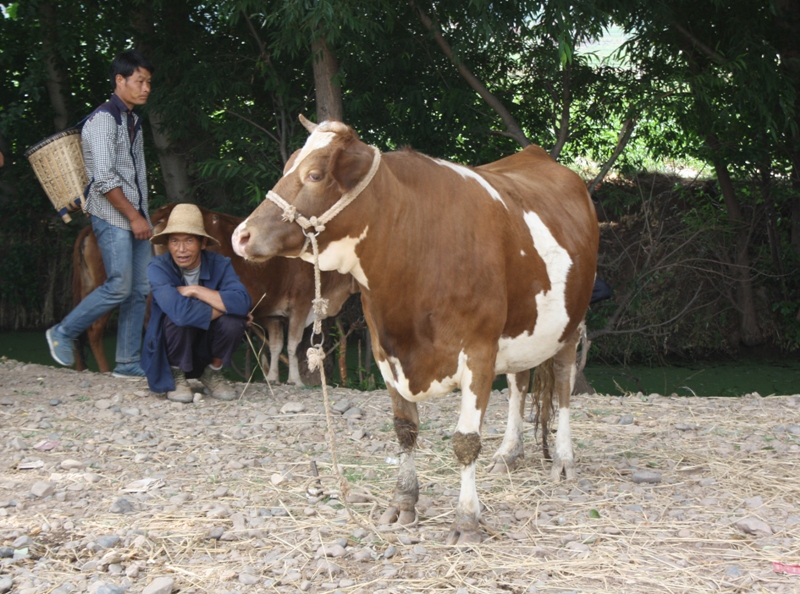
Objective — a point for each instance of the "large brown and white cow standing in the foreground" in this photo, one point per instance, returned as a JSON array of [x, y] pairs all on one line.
[[464, 273]]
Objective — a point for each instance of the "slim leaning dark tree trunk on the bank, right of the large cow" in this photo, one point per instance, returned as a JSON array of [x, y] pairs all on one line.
[[751, 334]]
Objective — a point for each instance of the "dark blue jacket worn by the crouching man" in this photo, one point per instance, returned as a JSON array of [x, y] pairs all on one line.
[[216, 272]]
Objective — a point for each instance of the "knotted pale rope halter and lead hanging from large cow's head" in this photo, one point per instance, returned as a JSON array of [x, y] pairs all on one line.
[[312, 227]]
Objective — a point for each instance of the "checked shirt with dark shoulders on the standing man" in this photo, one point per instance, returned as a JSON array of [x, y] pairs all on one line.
[[112, 161]]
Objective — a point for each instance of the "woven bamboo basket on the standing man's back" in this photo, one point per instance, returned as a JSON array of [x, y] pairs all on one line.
[[58, 163]]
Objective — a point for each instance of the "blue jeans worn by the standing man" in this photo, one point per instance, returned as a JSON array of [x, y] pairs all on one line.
[[125, 259]]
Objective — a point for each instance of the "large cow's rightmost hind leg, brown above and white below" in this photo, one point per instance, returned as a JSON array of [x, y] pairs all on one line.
[[564, 379]]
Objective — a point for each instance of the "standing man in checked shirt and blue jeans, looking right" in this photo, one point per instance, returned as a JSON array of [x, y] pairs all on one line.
[[116, 199]]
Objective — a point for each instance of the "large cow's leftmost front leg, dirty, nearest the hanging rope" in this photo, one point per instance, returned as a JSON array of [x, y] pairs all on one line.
[[402, 509]]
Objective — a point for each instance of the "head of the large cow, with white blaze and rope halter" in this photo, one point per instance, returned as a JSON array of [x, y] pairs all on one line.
[[332, 162]]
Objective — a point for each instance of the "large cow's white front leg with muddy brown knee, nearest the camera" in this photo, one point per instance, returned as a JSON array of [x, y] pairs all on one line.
[[467, 447]]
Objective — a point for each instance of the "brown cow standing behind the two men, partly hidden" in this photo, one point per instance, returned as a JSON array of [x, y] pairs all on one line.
[[280, 288]]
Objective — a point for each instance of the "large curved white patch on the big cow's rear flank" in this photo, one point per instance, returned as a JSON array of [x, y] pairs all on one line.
[[528, 350]]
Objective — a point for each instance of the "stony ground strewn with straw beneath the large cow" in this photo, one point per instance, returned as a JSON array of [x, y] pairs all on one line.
[[107, 488]]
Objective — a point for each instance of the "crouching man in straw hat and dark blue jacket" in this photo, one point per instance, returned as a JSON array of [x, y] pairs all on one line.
[[199, 313]]
